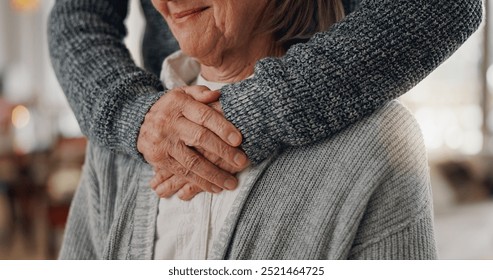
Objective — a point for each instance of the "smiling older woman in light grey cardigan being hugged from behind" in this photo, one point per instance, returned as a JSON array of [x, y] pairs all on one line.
[[363, 194]]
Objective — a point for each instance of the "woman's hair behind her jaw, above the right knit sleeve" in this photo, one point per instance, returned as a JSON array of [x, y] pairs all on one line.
[[296, 21]]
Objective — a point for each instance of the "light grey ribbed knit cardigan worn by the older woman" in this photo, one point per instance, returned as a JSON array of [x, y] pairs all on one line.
[[363, 194]]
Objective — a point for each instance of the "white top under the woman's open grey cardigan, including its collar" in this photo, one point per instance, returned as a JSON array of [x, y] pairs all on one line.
[[188, 229]]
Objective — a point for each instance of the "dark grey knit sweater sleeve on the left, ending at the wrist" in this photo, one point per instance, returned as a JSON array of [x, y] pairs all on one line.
[[108, 93]]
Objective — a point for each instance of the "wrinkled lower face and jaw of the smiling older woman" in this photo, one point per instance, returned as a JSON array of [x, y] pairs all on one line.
[[220, 34]]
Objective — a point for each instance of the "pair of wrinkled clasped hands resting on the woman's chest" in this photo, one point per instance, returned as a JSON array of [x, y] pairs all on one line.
[[190, 144]]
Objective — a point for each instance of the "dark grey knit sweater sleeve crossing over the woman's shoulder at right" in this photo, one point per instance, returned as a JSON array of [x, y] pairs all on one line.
[[376, 54]]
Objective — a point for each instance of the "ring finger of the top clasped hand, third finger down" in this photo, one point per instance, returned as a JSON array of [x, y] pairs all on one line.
[[195, 165]]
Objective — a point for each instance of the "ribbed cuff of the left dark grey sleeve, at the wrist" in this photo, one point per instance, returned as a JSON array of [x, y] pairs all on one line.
[[133, 112]]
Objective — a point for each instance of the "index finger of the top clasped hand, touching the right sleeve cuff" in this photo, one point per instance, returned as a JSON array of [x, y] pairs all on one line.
[[207, 117]]
